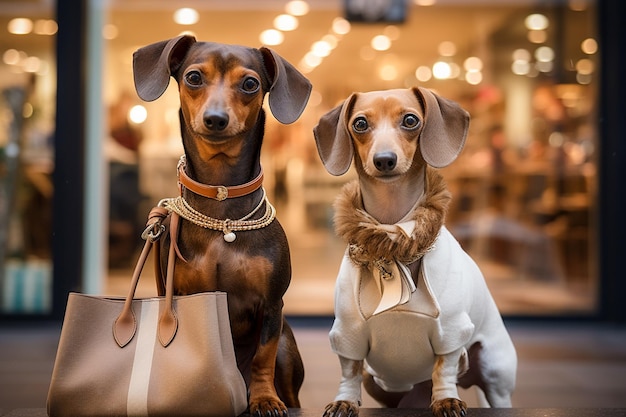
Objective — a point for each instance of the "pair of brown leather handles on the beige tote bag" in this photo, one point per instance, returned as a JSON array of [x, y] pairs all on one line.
[[125, 326]]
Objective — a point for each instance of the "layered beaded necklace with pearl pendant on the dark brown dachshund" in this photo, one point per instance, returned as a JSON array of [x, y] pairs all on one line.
[[181, 207]]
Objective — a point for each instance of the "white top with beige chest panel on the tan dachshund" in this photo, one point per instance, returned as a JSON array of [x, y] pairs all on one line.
[[451, 308]]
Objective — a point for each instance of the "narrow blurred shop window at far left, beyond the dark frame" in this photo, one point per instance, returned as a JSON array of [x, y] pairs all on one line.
[[27, 108]]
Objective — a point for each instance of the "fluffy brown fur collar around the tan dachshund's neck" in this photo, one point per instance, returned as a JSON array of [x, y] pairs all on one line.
[[370, 241]]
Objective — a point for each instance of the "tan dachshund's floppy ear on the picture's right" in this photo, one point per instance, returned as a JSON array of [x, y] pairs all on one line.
[[445, 128]]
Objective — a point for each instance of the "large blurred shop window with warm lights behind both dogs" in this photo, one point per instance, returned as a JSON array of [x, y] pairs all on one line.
[[524, 189]]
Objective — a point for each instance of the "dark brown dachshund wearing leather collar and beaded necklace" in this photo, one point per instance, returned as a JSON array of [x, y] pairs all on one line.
[[228, 238]]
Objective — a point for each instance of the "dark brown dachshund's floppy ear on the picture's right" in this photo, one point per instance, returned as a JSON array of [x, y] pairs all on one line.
[[290, 90]]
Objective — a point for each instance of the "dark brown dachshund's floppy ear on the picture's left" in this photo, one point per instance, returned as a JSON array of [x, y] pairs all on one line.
[[153, 65]]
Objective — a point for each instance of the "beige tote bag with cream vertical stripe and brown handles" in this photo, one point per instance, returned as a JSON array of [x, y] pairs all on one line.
[[161, 356]]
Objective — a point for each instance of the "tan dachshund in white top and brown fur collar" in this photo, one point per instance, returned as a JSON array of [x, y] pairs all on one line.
[[413, 315]]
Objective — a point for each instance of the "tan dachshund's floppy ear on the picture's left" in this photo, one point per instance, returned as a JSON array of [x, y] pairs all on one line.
[[334, 143]]
